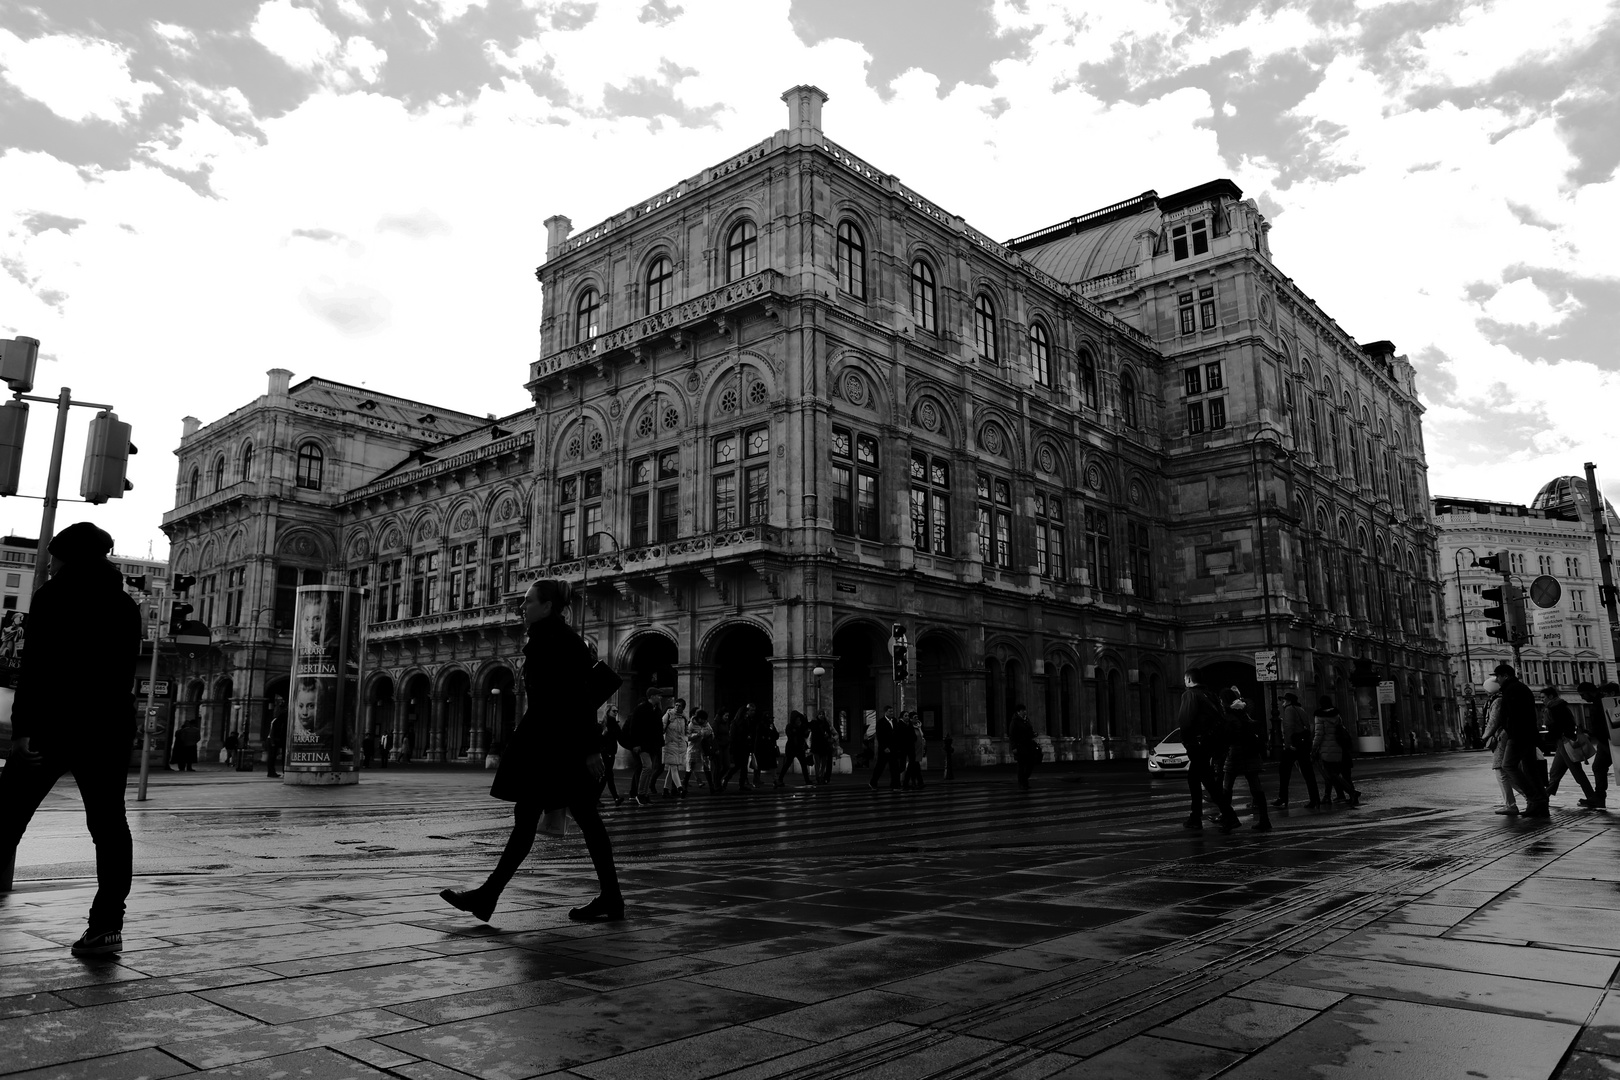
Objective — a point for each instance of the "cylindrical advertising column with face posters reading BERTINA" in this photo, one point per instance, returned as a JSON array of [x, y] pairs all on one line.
[[323, 715]]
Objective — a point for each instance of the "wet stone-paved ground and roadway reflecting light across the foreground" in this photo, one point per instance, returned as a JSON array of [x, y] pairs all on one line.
[[968, 930]]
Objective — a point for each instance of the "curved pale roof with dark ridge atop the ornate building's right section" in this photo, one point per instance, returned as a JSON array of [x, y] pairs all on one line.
[[1104, 242]]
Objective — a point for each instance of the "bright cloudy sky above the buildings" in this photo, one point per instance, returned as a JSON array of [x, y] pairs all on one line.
[[194, 192]]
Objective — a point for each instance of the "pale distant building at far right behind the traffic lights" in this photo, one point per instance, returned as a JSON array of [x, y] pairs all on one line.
[[1571, 642]]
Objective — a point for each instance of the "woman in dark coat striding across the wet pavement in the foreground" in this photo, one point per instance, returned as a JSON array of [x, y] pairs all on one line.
[[553, 759]]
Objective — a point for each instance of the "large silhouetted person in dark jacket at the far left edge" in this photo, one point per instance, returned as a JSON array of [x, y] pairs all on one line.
[[75, 713]]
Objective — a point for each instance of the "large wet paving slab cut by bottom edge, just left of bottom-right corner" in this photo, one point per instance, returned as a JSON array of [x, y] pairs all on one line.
[[1365, 1037]]
